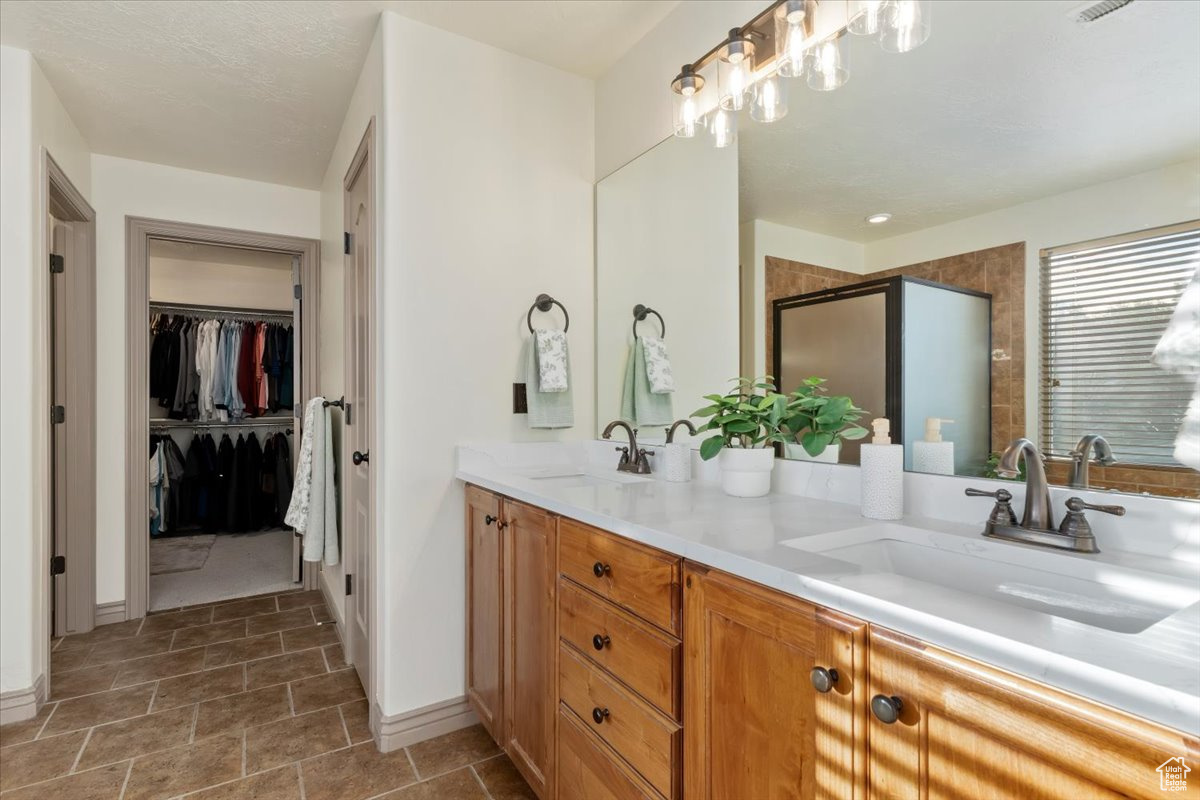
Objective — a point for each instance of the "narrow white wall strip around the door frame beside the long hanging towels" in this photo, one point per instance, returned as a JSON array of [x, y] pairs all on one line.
[[367, 103]]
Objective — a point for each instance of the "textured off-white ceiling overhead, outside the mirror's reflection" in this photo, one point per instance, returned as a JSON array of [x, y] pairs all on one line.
[[259, 89]]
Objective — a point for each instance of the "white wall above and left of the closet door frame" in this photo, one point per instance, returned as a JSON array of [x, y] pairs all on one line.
[[123, 188]]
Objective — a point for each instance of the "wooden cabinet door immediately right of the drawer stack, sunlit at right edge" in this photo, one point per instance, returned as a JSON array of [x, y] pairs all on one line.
[[754, 724]]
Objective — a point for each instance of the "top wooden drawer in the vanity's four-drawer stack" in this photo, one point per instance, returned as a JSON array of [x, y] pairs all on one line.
[[643, 580]]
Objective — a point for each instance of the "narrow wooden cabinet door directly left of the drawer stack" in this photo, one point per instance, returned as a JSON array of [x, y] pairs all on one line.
[[531, 642]]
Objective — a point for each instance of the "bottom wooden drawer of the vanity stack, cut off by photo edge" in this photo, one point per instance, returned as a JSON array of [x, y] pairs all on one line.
[[589, 769]]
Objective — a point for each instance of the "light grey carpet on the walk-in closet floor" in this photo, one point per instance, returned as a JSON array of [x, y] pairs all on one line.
[[237, 566]]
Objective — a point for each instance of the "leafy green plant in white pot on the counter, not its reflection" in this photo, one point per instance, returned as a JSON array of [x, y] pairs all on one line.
[[748, 420]]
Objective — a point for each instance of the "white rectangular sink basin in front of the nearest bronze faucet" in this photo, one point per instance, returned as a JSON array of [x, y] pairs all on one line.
[[1093, 593]]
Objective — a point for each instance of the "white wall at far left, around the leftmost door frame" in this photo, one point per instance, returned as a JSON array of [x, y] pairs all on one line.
[[33, 123]]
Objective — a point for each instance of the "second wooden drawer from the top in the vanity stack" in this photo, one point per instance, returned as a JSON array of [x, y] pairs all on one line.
[[635, 653]]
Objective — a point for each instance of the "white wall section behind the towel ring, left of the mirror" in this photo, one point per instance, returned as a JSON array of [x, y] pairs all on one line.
[[487, 203]]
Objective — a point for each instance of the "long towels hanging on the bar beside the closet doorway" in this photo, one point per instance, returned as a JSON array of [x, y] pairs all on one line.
[[314, 508]]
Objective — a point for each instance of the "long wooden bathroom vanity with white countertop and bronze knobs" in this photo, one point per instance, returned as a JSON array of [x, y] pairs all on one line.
[[632, 639]]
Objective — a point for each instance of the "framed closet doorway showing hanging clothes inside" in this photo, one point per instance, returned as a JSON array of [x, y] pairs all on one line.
[[223, 356]]
